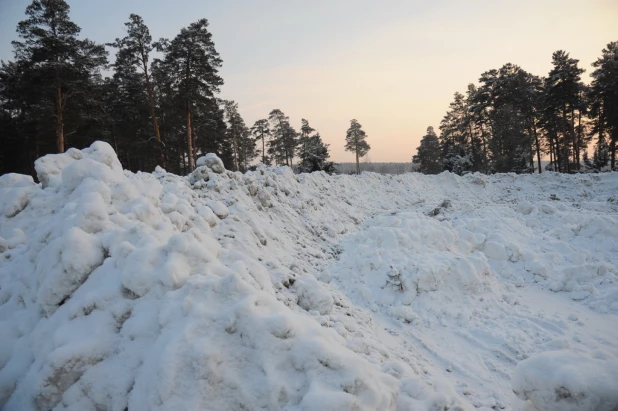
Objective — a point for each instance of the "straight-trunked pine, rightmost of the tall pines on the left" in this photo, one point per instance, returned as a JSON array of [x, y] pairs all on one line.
[[193, 62]]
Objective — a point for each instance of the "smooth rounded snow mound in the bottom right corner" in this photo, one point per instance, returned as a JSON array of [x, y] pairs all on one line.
[[562, 381]]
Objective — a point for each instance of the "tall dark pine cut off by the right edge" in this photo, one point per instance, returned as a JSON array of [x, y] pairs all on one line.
[[604, 101]]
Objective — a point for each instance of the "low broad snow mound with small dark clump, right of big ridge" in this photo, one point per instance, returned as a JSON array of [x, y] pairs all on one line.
[[407, 254]]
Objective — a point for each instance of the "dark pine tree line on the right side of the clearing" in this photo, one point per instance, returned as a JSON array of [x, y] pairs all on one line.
[[513, 118]]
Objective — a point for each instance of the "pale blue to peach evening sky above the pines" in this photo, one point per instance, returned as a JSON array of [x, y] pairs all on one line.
[[393, 65]]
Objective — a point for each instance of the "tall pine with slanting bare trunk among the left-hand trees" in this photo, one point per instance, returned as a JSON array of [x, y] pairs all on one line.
[[134, 54]]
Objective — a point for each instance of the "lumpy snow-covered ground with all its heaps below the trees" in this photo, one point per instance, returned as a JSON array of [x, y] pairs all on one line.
[[269, 290]]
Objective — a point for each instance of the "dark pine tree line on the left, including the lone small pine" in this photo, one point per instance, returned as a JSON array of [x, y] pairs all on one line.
[[158, 107]]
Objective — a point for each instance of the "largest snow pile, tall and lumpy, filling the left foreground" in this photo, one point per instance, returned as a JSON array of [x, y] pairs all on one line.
[[120, 296]]
